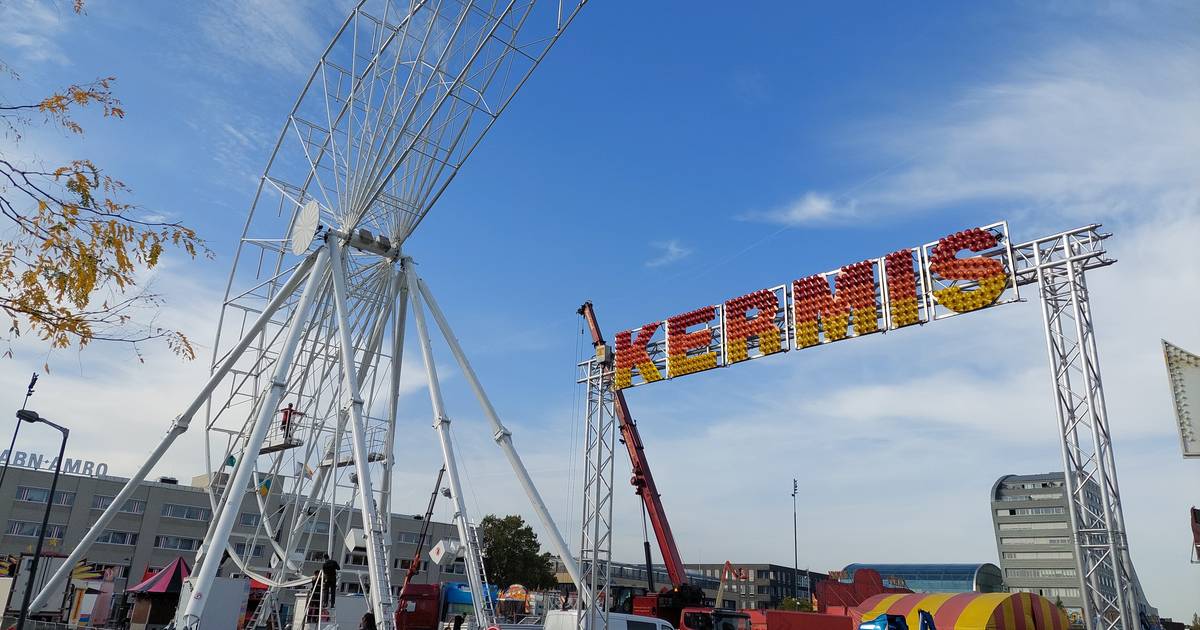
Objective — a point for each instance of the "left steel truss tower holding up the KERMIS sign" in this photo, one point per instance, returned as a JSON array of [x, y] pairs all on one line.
[[596, 543]]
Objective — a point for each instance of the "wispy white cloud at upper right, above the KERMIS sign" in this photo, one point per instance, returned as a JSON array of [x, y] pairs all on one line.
[[1089, 129]]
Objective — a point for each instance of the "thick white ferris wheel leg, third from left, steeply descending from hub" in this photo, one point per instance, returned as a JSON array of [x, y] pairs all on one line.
[[377, 568]]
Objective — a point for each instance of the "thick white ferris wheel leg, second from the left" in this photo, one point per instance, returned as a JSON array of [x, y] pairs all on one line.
[[245, 465]]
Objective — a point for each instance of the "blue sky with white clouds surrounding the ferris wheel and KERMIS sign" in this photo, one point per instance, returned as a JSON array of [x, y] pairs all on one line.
[[668, 157]]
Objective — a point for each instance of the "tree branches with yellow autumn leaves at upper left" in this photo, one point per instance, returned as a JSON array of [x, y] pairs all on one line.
[[70, 263]]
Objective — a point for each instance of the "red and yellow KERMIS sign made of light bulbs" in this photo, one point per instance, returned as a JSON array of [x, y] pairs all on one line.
[[958, 274]]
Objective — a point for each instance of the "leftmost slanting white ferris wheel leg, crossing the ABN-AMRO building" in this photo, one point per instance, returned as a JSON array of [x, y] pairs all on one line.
[[178, 428]]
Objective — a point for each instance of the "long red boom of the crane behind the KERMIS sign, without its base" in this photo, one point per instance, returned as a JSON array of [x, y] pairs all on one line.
[[643, 479]]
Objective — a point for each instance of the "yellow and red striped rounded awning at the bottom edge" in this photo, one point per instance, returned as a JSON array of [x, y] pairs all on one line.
[[969, 611]]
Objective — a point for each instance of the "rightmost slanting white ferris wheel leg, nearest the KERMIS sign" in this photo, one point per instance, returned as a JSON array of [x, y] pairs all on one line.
[[503, 437]]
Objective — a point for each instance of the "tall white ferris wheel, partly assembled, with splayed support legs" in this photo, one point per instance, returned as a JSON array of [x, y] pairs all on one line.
[[301, 409]]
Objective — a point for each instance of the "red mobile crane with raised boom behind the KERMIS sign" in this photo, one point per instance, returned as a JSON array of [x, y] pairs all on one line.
[[682, 605]]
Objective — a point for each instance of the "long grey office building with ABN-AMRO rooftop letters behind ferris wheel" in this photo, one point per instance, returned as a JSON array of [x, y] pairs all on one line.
[[165, 520]]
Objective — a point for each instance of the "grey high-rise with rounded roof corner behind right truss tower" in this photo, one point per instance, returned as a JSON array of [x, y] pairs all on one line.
[[1034, 537]]
